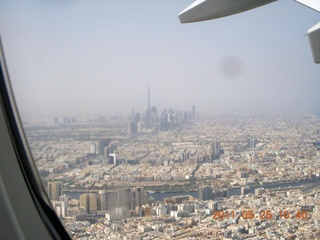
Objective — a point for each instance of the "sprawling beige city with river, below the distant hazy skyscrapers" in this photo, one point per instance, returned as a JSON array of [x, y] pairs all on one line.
[[257, 175]]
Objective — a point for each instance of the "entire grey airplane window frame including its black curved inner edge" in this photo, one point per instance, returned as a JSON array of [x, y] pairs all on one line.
[[19, 177]]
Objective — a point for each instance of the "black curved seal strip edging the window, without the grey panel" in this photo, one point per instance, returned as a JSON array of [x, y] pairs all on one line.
[[24, 157]]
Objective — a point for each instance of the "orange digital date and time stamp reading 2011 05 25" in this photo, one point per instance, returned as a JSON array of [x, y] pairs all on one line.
[[262, 214]]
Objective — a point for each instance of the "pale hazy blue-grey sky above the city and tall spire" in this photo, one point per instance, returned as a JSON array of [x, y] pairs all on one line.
[[78, 58]]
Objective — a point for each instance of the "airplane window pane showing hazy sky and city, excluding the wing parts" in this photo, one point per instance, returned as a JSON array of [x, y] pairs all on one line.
[[142, 127]]
